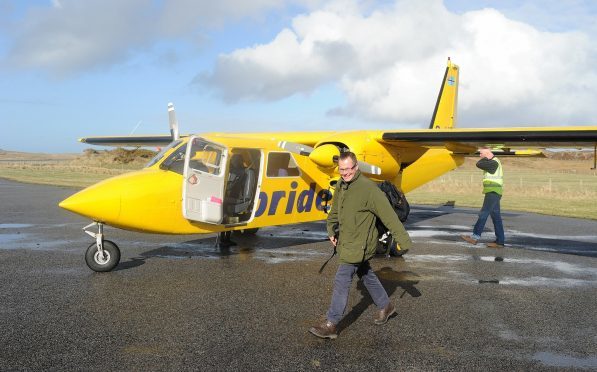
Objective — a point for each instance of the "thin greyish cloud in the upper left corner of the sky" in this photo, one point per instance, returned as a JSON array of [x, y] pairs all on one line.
[[70, 36]]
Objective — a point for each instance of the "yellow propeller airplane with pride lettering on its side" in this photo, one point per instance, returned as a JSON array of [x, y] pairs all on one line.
[[220, 182]]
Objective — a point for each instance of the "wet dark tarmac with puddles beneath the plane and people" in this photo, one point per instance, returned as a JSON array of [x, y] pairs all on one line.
[[180, 303]]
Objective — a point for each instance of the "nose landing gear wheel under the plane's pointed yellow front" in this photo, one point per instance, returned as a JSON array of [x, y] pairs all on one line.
[[103, 255]]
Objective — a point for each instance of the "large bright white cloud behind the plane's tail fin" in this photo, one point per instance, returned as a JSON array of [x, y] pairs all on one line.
[[389, 63]]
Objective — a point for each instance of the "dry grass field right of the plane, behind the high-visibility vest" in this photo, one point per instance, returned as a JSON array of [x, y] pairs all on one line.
[[547, 186]]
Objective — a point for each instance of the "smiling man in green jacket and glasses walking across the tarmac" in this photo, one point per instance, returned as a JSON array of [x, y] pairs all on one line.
[[356, 205]]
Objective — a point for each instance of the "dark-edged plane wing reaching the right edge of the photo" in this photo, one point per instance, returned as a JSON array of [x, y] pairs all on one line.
[[467, 141]]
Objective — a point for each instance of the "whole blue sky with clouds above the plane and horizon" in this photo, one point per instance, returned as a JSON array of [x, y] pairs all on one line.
[[71, 68]]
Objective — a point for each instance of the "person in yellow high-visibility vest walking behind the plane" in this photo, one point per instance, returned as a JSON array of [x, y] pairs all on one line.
[[493, 185]]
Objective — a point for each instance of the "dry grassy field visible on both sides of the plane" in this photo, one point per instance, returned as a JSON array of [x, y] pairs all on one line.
[[549, 186]]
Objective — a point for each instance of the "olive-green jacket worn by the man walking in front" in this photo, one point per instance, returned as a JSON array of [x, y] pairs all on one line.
[[354, 209]]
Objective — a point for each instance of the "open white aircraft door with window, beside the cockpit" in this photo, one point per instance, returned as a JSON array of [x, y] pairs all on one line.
[[204, 181]]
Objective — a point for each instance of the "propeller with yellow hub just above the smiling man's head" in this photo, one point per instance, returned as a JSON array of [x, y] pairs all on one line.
[[326, 156]]
